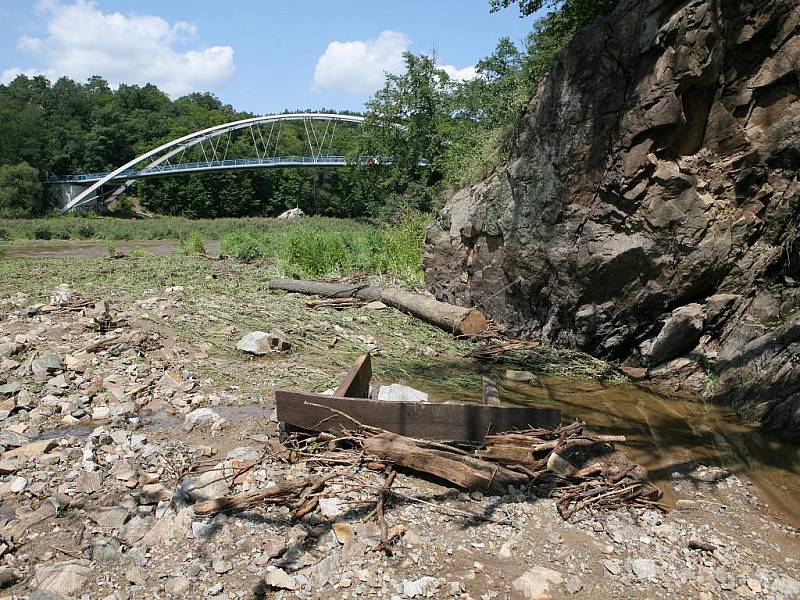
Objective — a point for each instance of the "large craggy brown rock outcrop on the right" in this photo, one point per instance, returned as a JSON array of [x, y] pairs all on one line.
[[650, 209]]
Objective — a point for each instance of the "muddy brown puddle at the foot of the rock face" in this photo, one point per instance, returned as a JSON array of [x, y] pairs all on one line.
[[666, 434]]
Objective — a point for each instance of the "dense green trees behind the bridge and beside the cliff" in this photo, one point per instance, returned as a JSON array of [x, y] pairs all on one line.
[[453, 133]]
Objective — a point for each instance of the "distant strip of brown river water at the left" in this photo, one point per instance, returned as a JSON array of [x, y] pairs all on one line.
[[92, 248]]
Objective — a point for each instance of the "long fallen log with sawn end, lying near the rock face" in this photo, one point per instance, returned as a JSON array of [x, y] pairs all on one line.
[[454, 319]]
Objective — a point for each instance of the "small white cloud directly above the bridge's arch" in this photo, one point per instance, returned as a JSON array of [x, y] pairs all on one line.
[[360, 66]]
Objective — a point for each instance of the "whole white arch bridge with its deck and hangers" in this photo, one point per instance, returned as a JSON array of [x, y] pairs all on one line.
[[220, 148]]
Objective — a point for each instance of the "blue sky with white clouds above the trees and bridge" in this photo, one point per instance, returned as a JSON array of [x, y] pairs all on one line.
[[262, 56]]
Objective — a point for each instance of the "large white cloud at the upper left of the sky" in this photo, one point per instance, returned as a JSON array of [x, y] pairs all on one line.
[[82, 41]]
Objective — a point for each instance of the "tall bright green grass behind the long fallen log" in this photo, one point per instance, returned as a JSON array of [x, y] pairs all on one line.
[[324, 248]]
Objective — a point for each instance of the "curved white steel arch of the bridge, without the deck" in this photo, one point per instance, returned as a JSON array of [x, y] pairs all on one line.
[[181, 144]]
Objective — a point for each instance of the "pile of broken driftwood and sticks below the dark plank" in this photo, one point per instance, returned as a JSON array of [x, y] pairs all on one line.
[[582, 472]]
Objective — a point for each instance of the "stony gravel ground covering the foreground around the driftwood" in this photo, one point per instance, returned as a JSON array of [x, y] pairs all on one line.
[[112, 427]]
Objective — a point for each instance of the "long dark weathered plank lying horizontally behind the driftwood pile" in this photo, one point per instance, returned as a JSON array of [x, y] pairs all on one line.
[[457, 422]]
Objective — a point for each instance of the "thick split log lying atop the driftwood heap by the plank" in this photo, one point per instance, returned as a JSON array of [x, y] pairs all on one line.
[[464, 471]]
